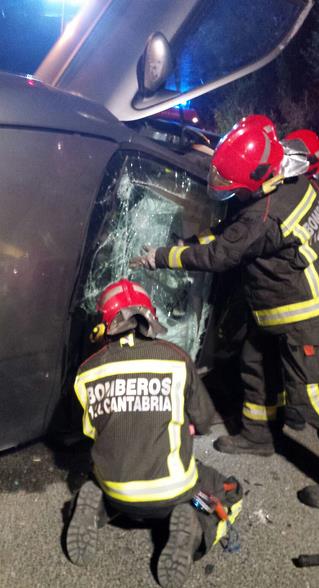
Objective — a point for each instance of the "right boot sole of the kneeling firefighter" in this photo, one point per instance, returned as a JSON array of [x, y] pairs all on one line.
[[185, 535]]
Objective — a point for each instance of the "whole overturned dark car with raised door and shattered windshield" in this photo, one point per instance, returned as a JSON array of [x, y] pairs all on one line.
[[81, 191]]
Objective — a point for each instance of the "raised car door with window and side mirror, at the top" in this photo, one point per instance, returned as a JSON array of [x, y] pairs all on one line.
[[139, 58]]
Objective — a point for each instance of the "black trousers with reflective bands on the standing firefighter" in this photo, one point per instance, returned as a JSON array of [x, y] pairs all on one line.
[[284, 358]]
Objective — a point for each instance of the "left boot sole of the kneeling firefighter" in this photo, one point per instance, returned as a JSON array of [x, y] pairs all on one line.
[[81, 539]]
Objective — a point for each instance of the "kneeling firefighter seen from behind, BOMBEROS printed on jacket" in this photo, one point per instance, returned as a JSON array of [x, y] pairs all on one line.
[[140, 394]]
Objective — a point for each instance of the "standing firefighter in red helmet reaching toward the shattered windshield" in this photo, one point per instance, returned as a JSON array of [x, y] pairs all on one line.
[[274, 238]]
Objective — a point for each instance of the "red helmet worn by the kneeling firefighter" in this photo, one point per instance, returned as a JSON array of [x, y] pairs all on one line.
[[121, 303]]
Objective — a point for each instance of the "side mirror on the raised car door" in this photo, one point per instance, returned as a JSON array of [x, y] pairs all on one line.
[[155, 65]]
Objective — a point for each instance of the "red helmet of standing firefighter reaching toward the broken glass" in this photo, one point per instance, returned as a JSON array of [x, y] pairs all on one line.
[[247, 156]]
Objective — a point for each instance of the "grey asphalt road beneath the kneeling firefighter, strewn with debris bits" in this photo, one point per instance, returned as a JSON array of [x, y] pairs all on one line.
[[36, 484]]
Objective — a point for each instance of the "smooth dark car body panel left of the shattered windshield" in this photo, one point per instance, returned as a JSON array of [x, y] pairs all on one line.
[[54, 150]]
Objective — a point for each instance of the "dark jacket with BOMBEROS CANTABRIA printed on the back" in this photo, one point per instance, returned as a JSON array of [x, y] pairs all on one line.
[[139, 397]]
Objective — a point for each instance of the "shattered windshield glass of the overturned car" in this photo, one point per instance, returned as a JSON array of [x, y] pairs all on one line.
[[145, 202]]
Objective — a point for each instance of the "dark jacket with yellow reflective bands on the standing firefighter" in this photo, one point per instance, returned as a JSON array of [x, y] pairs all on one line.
[[275, 239]]
